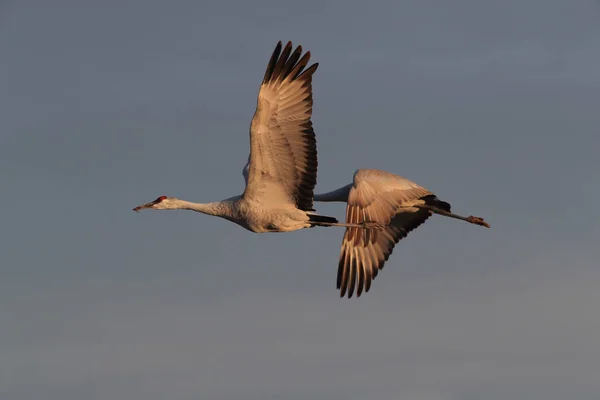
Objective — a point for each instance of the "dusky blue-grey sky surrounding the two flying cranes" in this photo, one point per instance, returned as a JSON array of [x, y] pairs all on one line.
[[494, 106]]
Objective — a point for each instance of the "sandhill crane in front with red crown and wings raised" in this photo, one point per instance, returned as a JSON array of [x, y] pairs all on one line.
[[282, 170]]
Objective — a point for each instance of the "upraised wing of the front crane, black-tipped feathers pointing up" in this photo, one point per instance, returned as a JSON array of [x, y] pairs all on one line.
[[283, 149]]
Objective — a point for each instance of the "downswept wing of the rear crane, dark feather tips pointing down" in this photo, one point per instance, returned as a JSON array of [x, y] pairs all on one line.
[[384, 198]]
